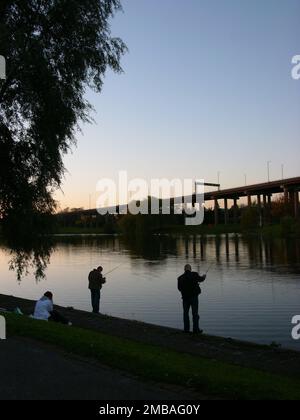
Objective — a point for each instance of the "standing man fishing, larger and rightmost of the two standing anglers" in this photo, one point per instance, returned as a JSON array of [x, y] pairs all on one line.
[[188, 285]]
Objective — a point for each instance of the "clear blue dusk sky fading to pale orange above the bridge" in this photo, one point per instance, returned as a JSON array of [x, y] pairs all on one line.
[[206, 88]]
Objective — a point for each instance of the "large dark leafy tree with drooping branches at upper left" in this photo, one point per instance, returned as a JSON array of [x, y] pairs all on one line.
[[54, 50]]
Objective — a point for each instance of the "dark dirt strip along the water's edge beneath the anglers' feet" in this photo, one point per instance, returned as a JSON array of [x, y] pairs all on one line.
[[245, 354]]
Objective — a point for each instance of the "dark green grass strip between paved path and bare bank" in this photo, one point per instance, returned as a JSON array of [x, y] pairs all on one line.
[[209, 377]]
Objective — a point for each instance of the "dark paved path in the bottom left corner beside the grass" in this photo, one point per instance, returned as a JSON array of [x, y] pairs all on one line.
[[33, 371]]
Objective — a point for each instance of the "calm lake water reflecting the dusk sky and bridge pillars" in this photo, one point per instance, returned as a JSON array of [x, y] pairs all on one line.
[[252, 291]]
